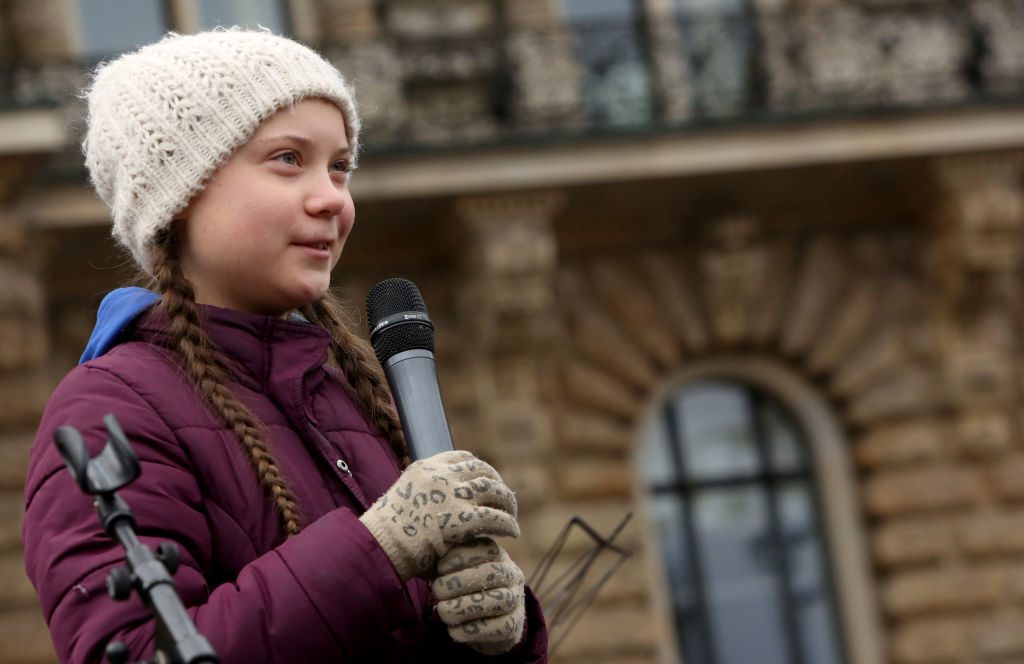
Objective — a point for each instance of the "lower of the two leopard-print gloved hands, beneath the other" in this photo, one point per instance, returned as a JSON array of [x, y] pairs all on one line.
[[481, 594]]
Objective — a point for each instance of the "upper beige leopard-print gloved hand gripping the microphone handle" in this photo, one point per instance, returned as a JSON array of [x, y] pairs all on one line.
[[437, 504]]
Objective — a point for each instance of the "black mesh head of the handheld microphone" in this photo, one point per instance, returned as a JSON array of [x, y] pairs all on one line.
[[398, 319]]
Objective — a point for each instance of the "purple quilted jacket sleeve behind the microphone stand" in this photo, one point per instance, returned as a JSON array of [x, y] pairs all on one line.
[[326, 595]]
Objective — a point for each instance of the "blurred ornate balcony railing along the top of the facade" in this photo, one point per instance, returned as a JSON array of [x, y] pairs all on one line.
[[669, 74]]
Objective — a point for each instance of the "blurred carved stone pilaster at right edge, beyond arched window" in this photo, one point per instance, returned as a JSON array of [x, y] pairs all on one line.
[[976, 261]]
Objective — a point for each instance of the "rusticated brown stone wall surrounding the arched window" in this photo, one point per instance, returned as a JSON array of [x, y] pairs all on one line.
[[913, 339]]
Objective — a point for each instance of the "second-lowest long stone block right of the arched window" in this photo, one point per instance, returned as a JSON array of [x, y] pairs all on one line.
[[911, 594]]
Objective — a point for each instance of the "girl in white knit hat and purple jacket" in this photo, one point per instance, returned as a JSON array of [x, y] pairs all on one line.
[[270, 449]]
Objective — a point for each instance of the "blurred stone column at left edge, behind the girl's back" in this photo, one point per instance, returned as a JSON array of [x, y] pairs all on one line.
[[24, 390]]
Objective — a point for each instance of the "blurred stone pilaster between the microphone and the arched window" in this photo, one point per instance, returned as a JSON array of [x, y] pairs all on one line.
[[508, 308]]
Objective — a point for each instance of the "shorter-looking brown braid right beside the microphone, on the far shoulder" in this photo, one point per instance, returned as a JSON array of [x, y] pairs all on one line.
[[356, 359]]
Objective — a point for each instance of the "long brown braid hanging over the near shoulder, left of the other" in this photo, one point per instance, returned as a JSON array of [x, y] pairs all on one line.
[[179, 301]]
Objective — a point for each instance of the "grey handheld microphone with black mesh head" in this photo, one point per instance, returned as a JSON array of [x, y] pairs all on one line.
[[403, 338]]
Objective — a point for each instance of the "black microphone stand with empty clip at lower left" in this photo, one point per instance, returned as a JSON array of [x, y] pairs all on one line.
[[178, 641]]
